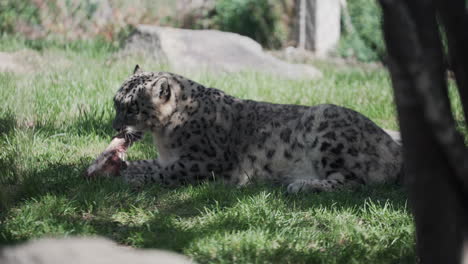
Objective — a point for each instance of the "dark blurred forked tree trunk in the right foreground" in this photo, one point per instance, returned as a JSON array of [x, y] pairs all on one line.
[[435, 156]]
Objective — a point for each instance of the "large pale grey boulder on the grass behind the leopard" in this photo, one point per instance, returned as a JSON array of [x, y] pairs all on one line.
[[188, 50]]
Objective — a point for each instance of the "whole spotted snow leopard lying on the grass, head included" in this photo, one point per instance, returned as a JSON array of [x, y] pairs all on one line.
[[203, 134]]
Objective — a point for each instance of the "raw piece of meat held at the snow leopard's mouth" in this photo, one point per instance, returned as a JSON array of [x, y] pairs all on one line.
[[110, 161]]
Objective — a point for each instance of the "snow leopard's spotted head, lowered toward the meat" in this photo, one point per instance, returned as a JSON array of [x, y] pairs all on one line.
[[145, 101]]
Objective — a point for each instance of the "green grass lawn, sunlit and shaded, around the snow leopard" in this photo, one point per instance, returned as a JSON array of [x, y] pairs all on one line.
[[54, 122]]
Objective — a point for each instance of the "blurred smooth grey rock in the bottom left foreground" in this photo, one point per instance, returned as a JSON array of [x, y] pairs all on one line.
[[84, 251]]
